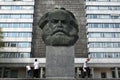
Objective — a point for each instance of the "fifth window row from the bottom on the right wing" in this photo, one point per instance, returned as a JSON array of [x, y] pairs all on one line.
[[102, 16]]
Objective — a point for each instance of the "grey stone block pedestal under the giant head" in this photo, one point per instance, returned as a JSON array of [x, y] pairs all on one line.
[[60, 62]]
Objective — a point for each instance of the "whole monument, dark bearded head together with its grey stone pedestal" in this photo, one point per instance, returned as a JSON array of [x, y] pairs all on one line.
[[59, 33]]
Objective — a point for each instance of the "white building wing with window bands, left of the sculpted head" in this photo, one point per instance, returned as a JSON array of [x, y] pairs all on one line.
[[16, 19]]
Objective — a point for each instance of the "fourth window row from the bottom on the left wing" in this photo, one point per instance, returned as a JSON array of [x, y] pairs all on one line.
[[15, 25]]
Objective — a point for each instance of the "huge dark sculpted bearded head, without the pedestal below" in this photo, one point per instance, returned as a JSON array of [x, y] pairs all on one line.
[[59, 28]]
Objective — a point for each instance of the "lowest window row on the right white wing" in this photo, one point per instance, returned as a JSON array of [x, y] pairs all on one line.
[[104, 54]]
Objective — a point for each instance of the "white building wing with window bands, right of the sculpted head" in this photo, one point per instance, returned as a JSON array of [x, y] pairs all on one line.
[[103, 32]]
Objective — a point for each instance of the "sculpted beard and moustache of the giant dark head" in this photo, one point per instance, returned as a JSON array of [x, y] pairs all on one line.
[[59, 36]]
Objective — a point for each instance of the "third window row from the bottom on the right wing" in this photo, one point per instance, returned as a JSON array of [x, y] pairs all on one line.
[[104, 35]]
